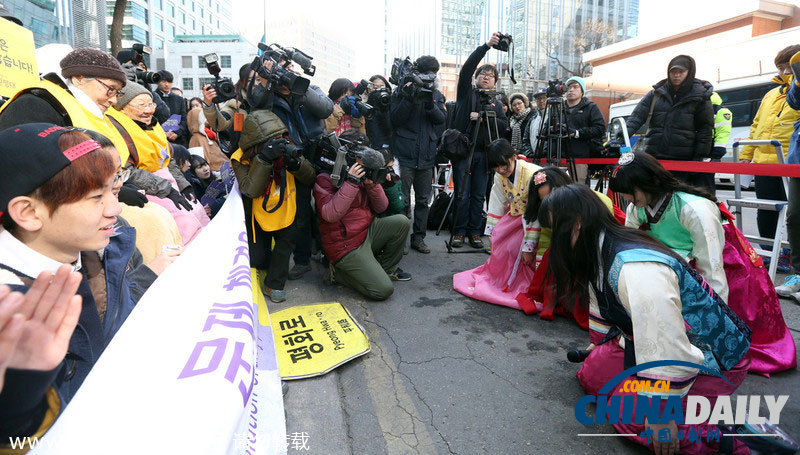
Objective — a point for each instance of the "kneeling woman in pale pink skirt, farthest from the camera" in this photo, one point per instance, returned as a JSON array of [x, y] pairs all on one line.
[[510, 267]]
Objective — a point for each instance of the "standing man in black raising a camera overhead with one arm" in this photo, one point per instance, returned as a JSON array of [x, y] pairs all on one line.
[[467, 118]]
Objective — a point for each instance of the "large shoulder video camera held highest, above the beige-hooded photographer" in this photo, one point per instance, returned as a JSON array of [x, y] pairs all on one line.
[[279, 75]]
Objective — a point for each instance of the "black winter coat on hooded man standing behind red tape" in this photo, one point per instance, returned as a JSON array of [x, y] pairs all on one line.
[[682, 124]]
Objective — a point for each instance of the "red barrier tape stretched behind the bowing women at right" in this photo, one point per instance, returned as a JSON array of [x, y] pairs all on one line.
[[774, 170]]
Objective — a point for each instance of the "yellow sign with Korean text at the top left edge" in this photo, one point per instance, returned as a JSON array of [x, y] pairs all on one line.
[[17, 58]]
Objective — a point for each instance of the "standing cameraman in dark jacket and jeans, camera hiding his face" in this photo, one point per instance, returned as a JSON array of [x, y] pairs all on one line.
[[416, 111]]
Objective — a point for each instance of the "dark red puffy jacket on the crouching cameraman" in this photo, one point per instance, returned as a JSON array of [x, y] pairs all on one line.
[[345, 214]]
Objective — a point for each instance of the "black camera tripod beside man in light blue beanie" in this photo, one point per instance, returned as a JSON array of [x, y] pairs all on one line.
[[553, 134]]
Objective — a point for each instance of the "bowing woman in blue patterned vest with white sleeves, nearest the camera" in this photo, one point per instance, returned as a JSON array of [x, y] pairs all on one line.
[[657, 301]]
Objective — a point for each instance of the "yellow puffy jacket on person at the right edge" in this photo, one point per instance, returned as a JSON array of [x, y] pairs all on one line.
[[775, 120]]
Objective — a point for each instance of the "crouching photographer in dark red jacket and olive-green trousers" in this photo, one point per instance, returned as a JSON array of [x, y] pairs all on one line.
[[364, 251]]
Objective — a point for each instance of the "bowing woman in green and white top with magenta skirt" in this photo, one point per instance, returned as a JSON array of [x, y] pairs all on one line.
[[688, 220]]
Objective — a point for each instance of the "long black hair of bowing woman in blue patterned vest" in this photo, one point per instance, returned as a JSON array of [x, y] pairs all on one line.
[[574, 267]]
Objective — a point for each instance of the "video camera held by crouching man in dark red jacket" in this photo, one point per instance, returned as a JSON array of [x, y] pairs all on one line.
[[336, 155]]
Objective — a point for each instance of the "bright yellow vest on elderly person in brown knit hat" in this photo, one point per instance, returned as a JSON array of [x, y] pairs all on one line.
[[79, 116]]
